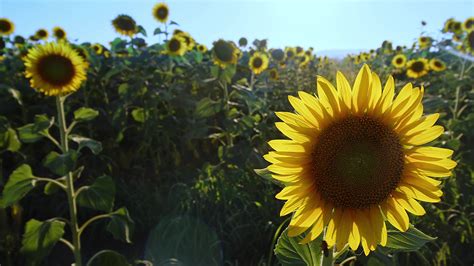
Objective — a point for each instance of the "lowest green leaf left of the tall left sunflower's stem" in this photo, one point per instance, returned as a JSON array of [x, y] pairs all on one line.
[[40, 237]]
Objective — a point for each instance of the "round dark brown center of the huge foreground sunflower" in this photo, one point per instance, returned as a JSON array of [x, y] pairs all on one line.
[[358, 161]]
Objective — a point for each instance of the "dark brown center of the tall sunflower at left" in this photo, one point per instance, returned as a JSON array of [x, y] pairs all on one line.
[[56, 69]]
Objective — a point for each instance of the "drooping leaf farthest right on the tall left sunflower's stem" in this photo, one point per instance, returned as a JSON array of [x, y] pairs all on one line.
[[121, 225]]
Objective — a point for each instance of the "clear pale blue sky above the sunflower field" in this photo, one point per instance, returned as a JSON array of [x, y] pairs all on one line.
[[324, 25]]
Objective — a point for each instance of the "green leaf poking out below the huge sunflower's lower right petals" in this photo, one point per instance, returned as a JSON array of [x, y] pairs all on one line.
[[411, 240]]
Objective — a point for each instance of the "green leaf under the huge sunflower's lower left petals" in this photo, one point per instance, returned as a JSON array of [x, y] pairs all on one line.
[[290, 252]]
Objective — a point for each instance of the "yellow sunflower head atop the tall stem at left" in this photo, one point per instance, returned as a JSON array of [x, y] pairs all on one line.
[[55, 69]]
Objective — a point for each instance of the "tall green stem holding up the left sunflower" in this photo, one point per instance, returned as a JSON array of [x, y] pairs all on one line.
[[76, 243]]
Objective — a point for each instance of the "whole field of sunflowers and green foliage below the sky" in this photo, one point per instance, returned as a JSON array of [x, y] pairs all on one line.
[[175, 153]]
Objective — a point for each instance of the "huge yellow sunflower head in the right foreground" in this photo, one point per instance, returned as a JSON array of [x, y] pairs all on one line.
[[354, 160]]
